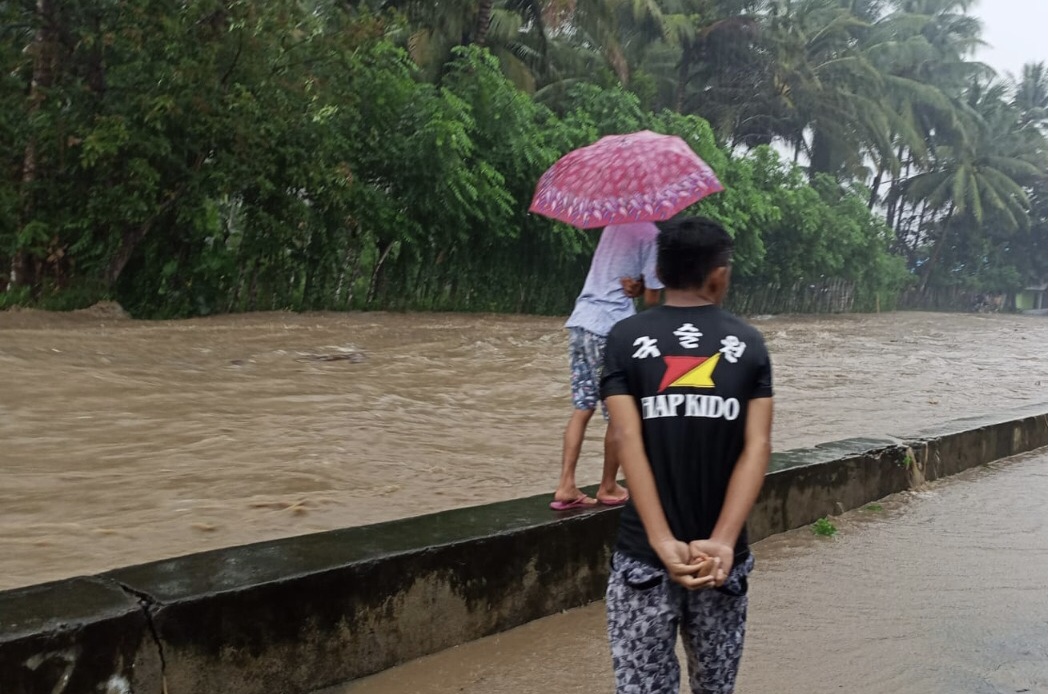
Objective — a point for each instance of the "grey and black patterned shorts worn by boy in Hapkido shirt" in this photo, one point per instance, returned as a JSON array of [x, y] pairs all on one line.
[[646, 611]]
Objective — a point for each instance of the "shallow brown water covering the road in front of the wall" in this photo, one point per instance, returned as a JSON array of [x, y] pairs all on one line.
[[941, 592]]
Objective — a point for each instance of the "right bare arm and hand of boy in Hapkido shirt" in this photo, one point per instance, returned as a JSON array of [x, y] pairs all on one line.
[[744, 488]]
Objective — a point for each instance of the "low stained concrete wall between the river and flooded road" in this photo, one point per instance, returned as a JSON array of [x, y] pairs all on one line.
[[298, 615]]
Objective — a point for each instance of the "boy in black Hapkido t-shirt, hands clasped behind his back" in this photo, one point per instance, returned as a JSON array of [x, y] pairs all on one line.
[[689, 391]]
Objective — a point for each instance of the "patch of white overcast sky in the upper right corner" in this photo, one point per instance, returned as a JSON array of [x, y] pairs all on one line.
[[1016, 32]]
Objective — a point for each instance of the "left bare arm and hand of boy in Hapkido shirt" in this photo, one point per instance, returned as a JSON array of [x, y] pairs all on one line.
[[628, 439]]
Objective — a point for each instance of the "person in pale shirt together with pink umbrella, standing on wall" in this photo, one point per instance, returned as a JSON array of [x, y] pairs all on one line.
[[623, 184]]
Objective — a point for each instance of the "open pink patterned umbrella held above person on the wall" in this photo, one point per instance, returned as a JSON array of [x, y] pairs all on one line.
[[643, 177]]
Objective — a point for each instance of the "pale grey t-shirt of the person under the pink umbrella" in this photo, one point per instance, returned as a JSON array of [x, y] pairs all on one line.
[[624, 251]]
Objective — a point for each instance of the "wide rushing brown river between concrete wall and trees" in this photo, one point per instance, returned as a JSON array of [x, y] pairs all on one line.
[[124, 442]]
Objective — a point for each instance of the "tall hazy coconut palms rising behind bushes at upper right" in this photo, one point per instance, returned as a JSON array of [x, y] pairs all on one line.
[[879, 95]]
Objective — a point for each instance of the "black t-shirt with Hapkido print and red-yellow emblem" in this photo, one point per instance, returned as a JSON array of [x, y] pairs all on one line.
[[692, 372]]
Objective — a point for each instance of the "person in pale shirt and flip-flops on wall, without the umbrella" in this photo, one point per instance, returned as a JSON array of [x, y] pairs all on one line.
[[623, 269]]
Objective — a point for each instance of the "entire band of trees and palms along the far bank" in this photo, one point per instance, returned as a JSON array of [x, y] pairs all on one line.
[[220, 156]]
